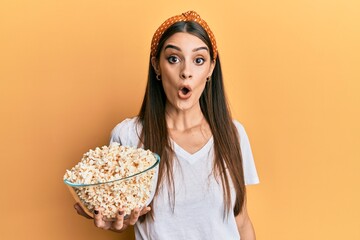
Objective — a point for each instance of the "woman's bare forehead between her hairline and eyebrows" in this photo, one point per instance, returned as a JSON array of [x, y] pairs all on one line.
[[184, 40]]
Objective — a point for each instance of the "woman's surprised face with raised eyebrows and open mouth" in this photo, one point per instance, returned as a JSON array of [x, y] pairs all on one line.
[[184, 65]]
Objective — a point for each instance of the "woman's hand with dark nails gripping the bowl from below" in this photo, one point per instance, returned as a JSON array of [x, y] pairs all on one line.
[[118, 225]]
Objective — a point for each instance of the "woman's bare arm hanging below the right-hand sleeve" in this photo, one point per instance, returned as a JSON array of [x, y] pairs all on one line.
[[244, 225]]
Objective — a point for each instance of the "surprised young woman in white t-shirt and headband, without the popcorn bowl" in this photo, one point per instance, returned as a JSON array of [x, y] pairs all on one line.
[[206, 159]]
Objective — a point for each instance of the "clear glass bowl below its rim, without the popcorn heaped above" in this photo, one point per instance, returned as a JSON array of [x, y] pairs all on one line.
[[130, 192]]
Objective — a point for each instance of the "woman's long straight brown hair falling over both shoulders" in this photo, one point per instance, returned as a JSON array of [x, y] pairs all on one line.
[[214, 106]]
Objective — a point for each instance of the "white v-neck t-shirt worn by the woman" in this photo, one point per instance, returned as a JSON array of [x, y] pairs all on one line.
[[199, 205]]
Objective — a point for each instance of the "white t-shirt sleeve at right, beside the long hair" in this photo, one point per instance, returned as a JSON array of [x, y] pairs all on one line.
[[250, 173]]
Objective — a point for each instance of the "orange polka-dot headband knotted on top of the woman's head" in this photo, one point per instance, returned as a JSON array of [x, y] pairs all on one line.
[[188, 16]]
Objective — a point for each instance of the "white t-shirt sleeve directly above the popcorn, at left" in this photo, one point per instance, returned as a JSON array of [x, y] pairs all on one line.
[[126, 133]]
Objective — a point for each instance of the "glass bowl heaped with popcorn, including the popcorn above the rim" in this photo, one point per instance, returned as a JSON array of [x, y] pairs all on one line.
[[113, 177]]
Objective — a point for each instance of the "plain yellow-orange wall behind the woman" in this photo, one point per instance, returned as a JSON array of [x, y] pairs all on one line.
[[71, 70]]
